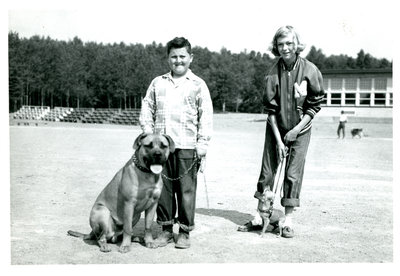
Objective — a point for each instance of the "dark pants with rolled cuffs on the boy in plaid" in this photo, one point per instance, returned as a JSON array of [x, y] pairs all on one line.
[[184, 189]]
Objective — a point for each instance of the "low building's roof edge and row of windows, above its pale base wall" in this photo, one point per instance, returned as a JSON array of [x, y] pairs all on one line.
[[358, 88]]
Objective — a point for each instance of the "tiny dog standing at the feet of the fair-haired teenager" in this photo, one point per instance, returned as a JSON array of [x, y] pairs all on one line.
[[269, 215]]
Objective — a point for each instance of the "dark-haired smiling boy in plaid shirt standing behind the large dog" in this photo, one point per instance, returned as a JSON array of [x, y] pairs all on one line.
[[178, 104]]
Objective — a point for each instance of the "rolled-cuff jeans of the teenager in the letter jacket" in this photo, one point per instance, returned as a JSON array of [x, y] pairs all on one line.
[[294, 170]]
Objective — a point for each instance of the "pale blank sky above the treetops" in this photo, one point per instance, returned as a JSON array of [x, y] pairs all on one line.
[[336, 27]]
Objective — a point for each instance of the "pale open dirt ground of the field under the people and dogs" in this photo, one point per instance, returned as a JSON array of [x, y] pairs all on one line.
[[346, 213]]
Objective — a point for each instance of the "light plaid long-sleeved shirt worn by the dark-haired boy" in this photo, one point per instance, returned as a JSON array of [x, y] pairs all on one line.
[[182, 110]]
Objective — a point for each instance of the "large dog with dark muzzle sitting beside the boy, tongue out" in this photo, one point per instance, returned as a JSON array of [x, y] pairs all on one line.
[[134, 189]]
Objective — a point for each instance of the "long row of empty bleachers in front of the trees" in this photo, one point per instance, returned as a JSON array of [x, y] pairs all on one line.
[[79, 115]]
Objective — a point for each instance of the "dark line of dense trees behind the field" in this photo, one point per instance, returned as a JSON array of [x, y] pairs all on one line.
[[49, 72]]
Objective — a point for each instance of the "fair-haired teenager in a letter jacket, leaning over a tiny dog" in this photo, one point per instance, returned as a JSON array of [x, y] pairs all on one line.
[[293, 93]]
